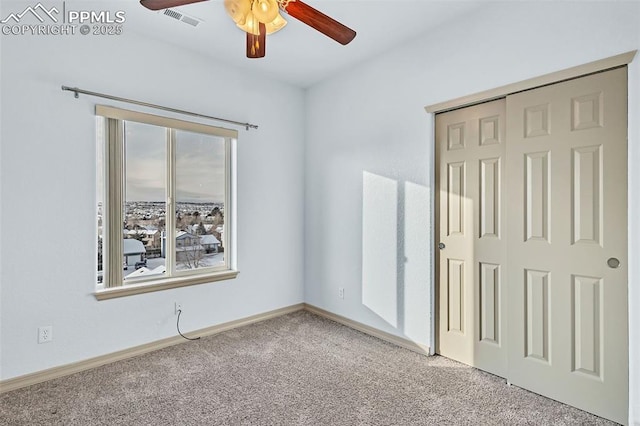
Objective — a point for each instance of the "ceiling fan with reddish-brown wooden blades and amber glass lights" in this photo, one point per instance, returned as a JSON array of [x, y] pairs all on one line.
[[261, 17]]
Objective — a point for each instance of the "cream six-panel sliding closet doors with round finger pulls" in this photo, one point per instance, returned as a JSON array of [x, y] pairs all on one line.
[[533, 271]]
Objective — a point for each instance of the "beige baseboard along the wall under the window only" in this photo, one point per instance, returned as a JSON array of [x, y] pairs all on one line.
[[76, 367]]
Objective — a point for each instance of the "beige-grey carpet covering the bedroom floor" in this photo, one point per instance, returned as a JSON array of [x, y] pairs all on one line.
[[298, 369]]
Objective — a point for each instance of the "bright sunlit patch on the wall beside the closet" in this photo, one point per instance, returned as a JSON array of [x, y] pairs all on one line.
[[396, 254]]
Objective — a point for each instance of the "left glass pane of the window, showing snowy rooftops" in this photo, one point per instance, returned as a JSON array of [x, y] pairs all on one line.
[[144, 201]]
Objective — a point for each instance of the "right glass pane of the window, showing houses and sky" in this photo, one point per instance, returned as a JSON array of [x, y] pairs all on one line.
[[200, 196]]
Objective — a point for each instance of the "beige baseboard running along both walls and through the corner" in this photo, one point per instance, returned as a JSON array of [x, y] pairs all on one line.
[[76, 367]]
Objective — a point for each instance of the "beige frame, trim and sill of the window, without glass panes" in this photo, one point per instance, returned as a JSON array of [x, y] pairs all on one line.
[[112, 121]]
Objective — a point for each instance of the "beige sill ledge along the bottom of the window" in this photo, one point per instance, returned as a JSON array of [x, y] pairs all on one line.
[[165, 284]]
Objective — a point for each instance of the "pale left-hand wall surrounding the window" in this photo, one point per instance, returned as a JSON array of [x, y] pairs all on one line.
[[47, 191]]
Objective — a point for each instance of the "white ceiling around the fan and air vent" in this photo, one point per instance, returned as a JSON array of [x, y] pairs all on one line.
[[298, 54]]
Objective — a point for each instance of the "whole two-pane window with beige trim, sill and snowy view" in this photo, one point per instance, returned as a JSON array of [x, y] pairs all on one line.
[[165, 203]]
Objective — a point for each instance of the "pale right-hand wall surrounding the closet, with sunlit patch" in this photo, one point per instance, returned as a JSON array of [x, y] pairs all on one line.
[[370, 143]]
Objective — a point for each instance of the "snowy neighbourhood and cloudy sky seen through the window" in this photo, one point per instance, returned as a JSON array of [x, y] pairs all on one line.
[[158, 164]]
